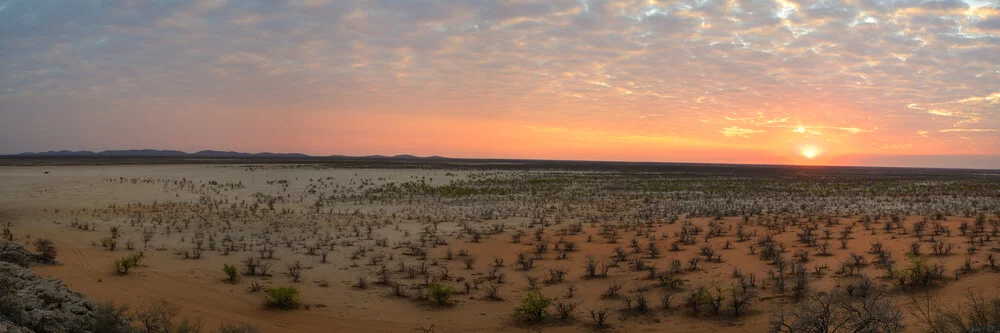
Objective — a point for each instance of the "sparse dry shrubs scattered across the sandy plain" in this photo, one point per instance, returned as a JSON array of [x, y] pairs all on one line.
[[702, 244]]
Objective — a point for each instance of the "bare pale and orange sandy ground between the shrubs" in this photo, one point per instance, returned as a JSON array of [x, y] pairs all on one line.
[[135, 198]]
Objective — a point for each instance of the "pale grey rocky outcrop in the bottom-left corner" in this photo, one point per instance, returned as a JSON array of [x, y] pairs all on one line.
[[29, 303]]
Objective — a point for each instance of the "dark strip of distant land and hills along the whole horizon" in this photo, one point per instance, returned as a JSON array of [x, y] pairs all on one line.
[[153, 156]]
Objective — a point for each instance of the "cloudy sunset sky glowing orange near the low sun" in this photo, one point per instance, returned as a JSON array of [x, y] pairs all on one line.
[[838, 82]]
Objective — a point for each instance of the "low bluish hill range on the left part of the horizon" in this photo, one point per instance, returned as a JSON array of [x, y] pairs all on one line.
[[203, 153]]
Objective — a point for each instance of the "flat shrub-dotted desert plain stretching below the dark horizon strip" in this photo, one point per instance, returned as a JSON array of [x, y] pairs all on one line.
[[648, 231]]
